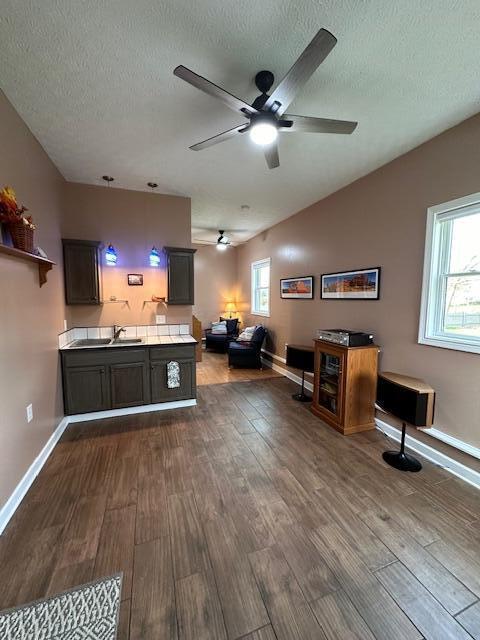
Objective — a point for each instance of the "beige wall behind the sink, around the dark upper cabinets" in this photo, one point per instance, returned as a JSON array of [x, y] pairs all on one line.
[[132, 221]]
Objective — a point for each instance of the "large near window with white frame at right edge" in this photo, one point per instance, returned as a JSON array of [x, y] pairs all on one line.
[[450, 311]]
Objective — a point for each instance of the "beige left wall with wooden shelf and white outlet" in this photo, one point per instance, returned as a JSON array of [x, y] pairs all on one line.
[[30, 317]]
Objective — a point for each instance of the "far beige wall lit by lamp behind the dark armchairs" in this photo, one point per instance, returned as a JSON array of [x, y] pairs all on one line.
[[215, 282]]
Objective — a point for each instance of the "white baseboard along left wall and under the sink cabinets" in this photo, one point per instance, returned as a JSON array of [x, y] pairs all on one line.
[[13, 502]]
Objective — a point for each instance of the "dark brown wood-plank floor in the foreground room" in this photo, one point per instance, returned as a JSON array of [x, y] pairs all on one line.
[[247, 517]]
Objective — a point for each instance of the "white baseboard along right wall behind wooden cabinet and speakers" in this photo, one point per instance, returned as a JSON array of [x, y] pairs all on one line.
[[456, 468]]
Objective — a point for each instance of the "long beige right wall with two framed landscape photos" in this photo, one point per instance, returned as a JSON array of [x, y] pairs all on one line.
[[380, 221]]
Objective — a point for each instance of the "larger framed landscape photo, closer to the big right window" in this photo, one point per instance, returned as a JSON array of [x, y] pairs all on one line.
[[363, 284]]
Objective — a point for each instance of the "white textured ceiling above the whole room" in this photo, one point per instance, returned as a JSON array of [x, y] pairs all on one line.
[[93, 80]]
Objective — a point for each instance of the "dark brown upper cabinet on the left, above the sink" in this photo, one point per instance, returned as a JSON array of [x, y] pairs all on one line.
[[81, 263]]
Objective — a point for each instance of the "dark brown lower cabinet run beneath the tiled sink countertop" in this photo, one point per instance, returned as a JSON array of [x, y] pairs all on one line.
[[114, 378]]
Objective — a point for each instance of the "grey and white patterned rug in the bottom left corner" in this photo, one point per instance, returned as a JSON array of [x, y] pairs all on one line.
[[89, 612]]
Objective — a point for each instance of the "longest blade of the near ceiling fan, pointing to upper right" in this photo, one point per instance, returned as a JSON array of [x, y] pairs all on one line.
[[307, 63]]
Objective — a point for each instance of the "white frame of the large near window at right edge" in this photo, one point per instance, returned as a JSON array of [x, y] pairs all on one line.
[[434, 280]]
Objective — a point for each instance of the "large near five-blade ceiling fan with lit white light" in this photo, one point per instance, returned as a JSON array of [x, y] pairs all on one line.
[[266, 115]]
